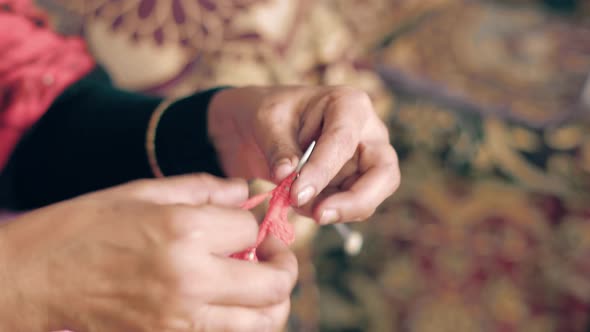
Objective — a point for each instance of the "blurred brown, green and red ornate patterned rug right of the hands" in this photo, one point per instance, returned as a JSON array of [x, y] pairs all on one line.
[[490, 230]]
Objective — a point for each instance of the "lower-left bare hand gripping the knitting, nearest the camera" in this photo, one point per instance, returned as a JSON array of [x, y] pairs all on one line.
[[147, 256]]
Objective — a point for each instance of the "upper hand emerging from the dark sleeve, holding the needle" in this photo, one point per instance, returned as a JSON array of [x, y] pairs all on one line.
[[261, 132]]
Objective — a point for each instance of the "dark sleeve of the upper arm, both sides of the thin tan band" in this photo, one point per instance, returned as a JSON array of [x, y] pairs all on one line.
[[94, 136]]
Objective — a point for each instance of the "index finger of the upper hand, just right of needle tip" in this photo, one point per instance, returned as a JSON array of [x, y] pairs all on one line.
[[345, 113]]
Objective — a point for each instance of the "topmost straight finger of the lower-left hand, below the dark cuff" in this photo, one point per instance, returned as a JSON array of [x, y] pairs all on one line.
[[194, 189]]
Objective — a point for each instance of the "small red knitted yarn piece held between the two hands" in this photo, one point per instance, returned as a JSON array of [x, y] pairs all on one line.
[[275, 221]]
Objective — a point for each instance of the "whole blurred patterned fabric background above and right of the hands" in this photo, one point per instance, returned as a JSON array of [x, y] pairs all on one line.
[[488, 104]]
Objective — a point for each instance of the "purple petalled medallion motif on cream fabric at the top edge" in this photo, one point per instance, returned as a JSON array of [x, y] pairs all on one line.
[[199, 24]]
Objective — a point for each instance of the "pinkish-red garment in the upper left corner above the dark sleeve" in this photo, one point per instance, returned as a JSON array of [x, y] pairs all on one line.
[[36, 66]]
